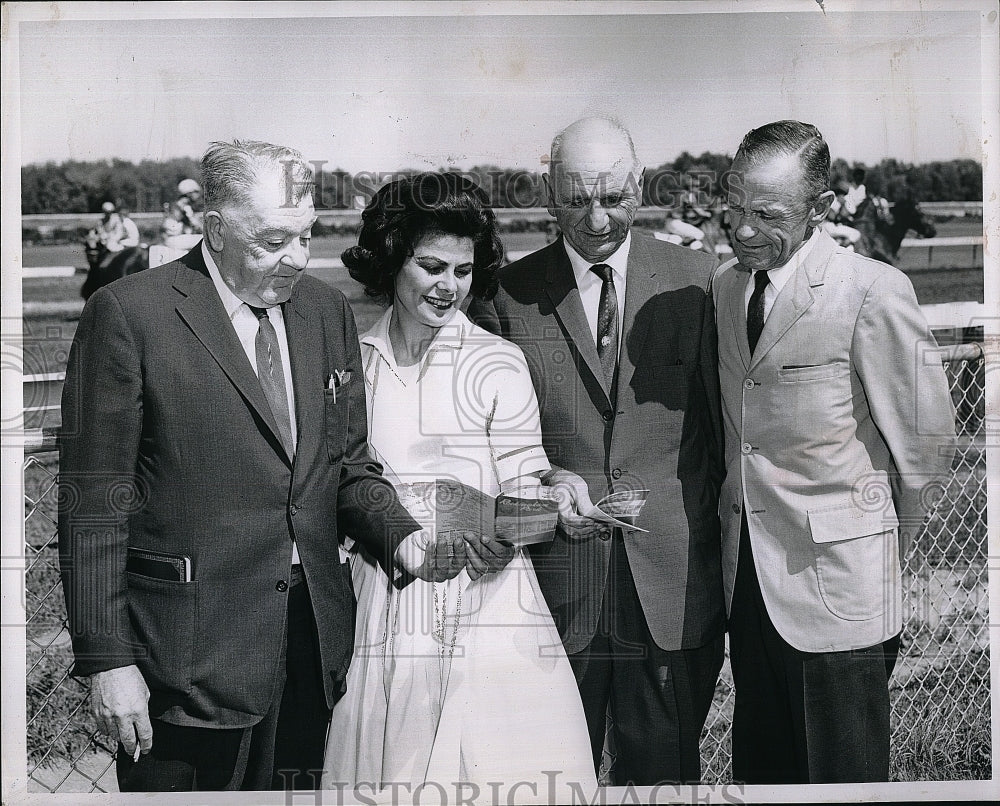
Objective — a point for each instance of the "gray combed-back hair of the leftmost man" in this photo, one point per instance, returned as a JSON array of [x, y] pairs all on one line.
[[230, 170]]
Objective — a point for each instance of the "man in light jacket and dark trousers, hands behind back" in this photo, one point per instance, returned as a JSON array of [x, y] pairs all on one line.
[[838, 428]]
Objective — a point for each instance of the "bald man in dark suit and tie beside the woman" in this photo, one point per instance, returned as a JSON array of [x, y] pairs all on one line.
[[619, 334]]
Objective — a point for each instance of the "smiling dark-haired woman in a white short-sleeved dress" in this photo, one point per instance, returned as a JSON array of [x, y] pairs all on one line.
[[463, 682]]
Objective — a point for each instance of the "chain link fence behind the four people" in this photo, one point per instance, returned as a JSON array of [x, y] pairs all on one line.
[[939, 691]]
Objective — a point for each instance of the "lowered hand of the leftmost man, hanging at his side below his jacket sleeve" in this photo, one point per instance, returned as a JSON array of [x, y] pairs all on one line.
[[119, 700]]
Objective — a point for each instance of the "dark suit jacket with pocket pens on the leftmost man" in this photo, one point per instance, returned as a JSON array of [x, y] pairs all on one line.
[[168, 444]]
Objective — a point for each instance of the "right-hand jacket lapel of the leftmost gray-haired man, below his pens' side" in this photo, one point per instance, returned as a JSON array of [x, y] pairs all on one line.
[[305, 348]]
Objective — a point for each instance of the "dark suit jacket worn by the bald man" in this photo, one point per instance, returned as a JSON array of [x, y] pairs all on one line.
[[663, 435]]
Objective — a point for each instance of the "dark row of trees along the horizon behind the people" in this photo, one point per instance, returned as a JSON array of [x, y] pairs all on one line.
[[81, 187]]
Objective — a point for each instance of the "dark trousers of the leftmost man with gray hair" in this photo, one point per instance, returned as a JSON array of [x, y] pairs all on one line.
[[282, 751]]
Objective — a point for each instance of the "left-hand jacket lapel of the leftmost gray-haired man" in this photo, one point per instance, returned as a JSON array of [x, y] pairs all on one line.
[[202, 310]]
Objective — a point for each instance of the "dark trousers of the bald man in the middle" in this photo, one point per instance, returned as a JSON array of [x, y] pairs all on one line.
[[658, 699]]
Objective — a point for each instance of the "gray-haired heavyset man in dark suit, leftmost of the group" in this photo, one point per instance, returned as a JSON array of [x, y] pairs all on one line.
[[212, 460]]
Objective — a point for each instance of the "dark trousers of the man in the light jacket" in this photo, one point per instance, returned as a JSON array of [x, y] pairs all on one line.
[[803, 717]]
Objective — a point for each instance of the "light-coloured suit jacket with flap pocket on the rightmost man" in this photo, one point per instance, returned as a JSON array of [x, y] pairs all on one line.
[[835, 431]]
